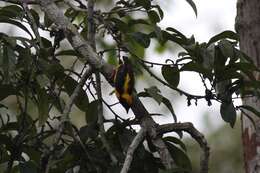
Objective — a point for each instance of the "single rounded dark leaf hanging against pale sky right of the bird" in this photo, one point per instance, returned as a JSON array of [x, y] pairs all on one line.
[[171, 74]]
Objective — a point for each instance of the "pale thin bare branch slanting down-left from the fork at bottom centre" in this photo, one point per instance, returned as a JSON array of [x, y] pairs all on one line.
[[131, 149]]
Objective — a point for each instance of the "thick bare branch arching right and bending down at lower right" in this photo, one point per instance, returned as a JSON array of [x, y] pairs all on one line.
[[189, 128]]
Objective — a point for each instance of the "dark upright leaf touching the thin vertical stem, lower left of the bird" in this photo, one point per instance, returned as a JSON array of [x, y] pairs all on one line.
[[92, 112]]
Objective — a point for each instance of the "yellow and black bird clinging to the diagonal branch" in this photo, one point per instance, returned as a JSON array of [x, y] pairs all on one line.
[[124, 83]]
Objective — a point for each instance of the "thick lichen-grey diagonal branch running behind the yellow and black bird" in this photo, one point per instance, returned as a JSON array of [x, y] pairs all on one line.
[[91, 57]]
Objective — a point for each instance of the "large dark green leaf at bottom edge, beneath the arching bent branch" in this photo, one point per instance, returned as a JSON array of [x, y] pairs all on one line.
[[181, 159]]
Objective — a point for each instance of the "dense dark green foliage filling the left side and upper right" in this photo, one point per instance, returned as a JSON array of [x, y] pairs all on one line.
[[32, 75]]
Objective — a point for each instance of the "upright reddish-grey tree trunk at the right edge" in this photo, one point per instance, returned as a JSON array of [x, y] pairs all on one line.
[[248, 28]]
